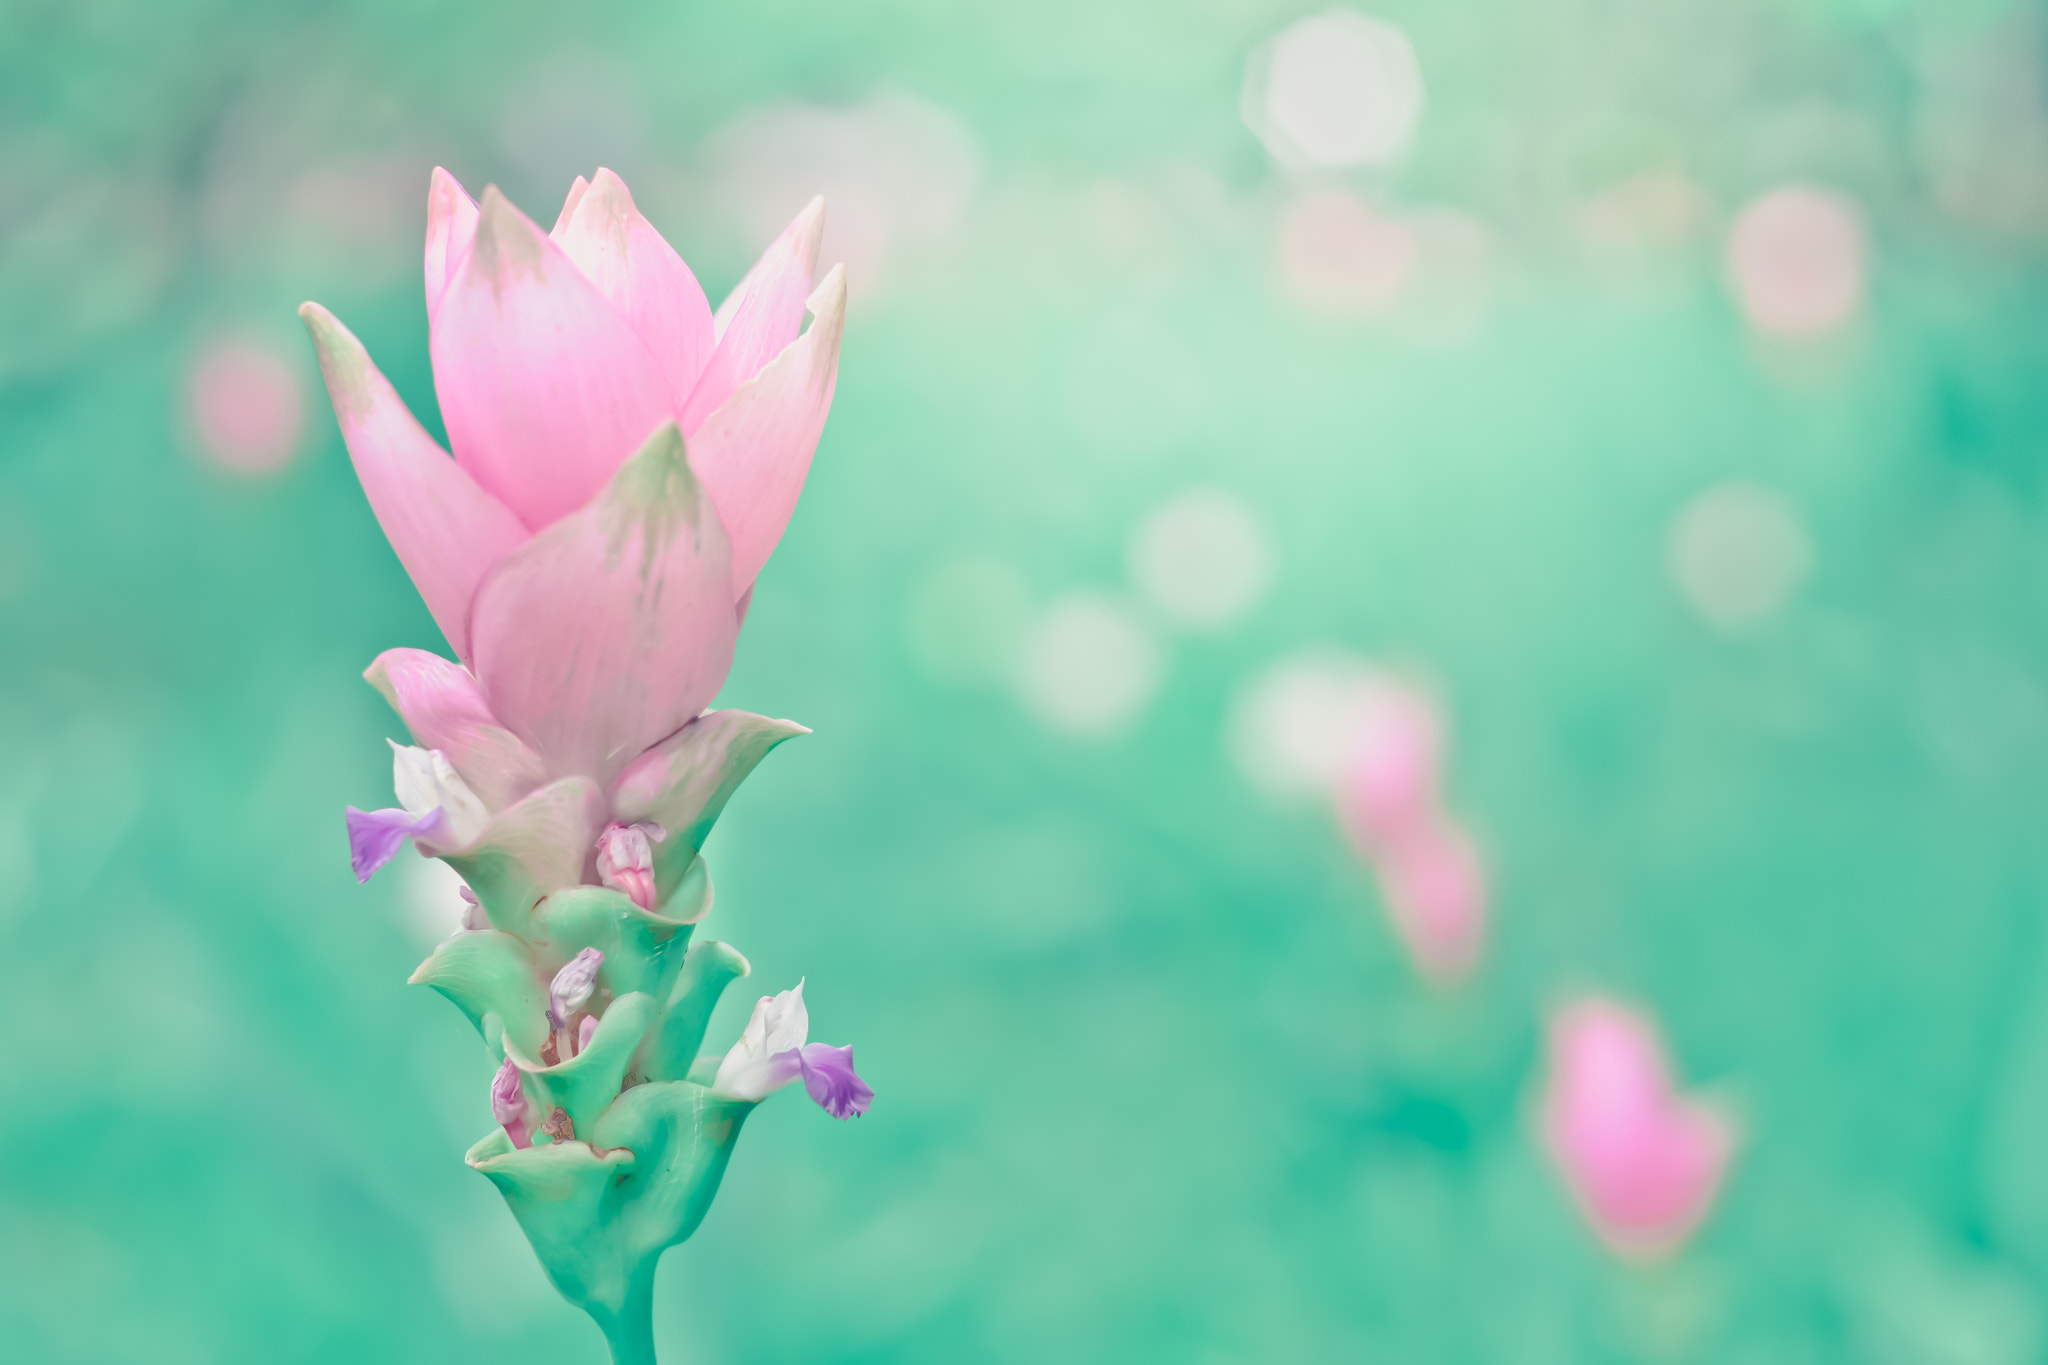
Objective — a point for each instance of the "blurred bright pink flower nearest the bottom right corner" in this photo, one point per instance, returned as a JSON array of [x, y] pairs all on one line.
[[1641, 1161]]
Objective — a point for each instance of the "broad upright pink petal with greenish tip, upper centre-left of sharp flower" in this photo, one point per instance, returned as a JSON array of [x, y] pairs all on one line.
[[544, 388]]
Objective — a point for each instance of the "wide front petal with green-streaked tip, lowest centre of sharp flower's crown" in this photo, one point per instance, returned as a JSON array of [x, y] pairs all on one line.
[[615, 625]]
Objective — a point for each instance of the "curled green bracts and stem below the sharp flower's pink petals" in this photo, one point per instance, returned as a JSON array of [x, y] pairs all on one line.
[[620, 1141]]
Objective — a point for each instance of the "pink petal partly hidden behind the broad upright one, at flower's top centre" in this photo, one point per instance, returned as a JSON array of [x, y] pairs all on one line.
[[642, 277]]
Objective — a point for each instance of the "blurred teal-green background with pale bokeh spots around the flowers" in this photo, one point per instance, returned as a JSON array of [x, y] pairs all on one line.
[[1664, 384]]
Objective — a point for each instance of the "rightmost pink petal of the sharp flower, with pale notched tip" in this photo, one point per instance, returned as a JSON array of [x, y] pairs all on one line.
[[755, 451]]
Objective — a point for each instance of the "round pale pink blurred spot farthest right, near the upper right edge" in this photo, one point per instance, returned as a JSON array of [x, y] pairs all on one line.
[[1797, 261]]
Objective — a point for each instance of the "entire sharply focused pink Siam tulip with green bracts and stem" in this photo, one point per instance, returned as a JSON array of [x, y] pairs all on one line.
[[624, 466]]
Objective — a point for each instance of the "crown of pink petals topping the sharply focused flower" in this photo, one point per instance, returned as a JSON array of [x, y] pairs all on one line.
[[626, 461]]
